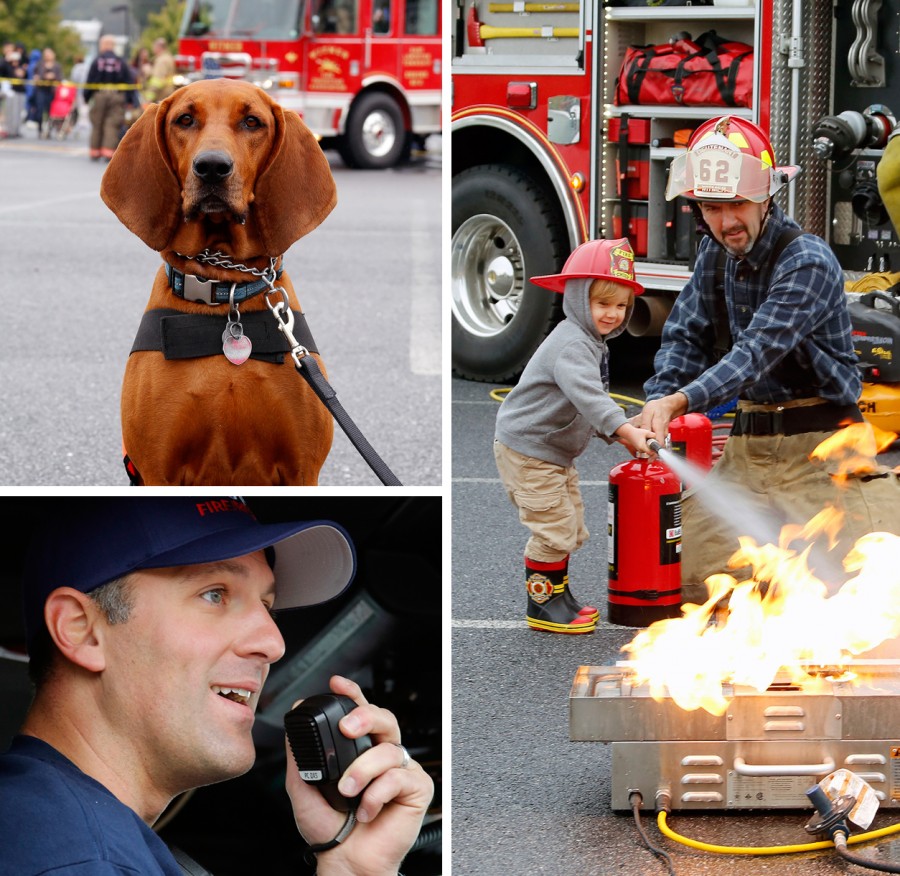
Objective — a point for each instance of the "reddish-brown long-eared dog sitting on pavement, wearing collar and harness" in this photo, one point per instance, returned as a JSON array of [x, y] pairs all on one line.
[[221, 181]]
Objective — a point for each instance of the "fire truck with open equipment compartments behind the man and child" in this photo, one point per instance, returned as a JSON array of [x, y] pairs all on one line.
[[546, 154]]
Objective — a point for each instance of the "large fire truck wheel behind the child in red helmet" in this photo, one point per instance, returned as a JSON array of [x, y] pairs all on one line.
[[505, 230]]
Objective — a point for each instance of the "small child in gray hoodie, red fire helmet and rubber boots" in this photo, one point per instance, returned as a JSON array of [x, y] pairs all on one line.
[[560, 402]]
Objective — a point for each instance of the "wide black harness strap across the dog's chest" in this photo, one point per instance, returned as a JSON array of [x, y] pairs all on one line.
[[180, 335]]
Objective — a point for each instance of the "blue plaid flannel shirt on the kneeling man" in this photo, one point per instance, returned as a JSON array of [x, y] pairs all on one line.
[[797, 306]]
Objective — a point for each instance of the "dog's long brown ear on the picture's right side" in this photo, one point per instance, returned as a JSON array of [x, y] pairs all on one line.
[[296, 191]]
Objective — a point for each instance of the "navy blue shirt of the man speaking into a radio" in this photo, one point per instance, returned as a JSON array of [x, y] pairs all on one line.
[[55, 819]]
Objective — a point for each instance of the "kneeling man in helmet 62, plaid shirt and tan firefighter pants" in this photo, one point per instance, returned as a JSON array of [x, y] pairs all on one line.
[[763, 319]]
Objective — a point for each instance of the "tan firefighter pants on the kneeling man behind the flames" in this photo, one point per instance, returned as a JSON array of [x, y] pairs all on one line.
[[762, 482]]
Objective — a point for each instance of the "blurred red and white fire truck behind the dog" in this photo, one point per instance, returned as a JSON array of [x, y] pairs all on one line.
[[364, 74]]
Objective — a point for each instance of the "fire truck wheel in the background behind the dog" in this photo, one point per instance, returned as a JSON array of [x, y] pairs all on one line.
[[375, 135]]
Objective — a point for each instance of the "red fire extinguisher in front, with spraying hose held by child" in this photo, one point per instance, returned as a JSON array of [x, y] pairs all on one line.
[[644, 515]]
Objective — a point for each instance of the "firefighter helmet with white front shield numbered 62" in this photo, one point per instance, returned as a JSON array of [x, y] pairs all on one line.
[[728, 159]]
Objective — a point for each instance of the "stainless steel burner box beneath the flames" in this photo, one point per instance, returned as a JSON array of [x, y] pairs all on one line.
[[763, 752]]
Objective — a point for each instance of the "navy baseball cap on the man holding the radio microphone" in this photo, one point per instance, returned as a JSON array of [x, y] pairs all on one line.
[[86, 542]]
